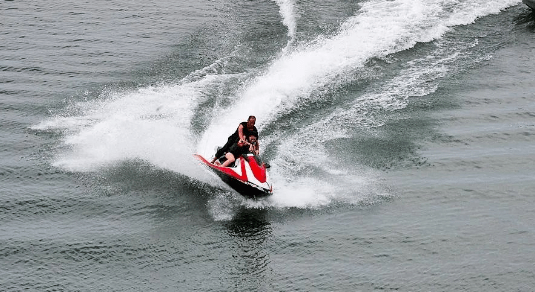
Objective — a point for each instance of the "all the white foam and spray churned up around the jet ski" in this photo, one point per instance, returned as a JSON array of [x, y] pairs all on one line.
[[154, 123]]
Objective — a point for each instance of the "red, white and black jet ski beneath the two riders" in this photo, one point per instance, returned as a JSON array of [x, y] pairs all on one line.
[[247, 176]]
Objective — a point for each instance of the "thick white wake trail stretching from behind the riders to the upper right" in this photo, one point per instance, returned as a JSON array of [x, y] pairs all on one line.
[[379, 29]]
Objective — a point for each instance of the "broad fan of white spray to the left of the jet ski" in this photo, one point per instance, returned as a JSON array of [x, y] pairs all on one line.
[[150, 124]]
